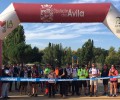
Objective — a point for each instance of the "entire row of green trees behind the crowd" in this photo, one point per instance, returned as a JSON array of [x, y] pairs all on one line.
[[15, 50]]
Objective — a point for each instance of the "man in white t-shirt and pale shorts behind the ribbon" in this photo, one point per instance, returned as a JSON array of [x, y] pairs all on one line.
[[93, 73]]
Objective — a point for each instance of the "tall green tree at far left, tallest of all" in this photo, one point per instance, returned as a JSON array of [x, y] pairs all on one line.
[[11, 49]]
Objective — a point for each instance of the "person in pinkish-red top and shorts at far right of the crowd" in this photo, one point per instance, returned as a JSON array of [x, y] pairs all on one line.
[[113, 81]]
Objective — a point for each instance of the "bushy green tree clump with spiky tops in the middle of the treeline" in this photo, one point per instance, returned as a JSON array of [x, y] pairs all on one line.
[[53, 54]]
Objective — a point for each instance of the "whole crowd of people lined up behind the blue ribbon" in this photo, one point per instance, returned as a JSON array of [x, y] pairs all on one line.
[[64, 88]]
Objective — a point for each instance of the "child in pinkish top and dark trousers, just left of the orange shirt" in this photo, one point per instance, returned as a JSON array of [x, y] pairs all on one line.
[[51, 84]]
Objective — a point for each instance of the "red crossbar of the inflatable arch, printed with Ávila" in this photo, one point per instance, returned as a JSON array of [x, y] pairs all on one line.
[[62, 13]]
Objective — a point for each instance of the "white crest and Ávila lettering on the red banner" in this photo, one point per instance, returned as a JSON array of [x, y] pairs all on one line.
[[47, 13]]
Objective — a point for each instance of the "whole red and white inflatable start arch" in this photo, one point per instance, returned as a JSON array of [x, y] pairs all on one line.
[[16, 13]]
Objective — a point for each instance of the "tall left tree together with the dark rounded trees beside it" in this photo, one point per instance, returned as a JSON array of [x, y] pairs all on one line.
[[15, 50]]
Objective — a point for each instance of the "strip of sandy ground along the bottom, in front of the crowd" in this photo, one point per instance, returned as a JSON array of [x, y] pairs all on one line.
[[40, 97]]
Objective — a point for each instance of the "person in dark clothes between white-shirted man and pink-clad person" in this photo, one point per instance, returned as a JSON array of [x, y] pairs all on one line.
[[104, 73]]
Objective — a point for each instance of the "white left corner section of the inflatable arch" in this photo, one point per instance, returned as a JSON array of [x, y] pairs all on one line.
[[8, 21]]
